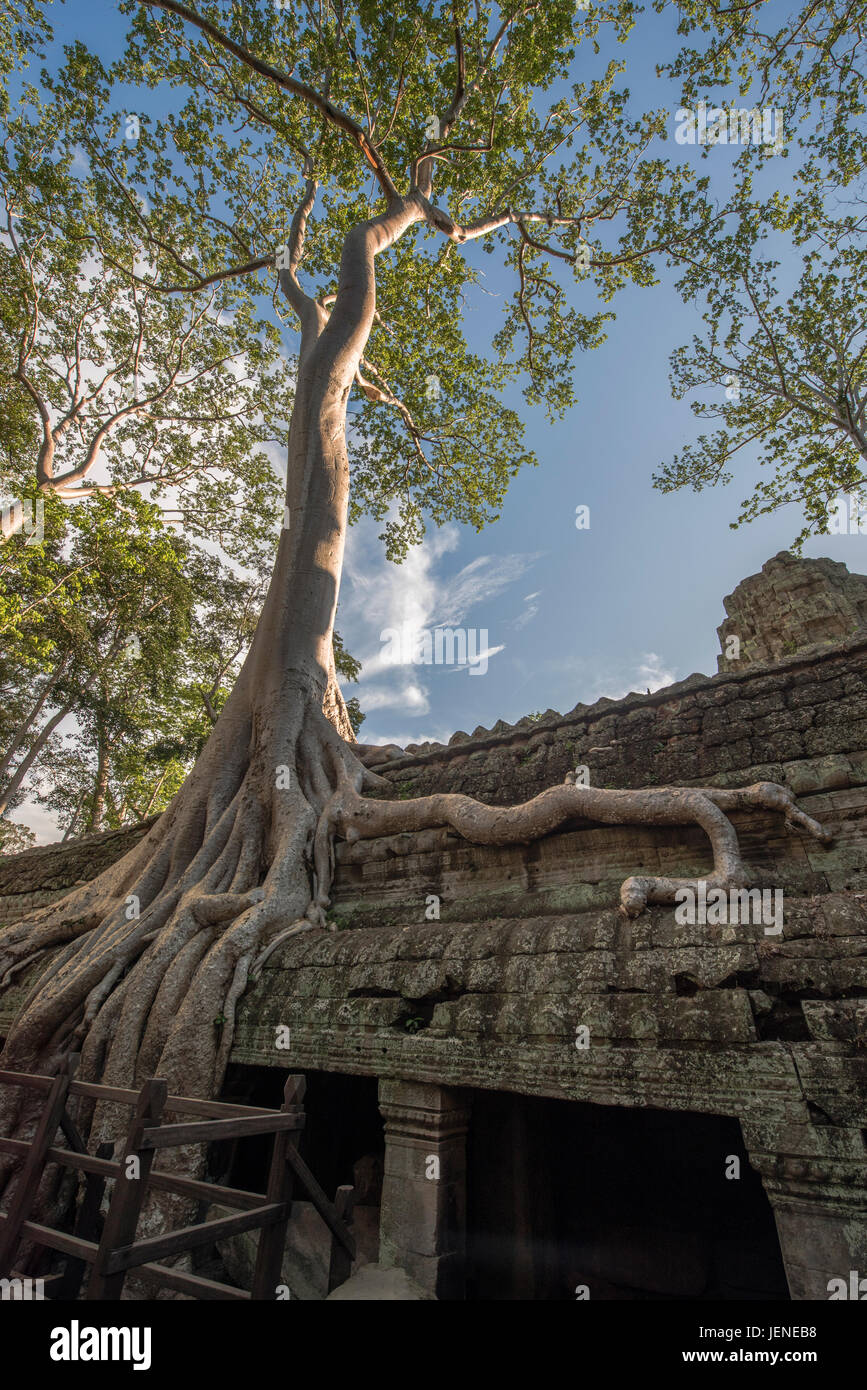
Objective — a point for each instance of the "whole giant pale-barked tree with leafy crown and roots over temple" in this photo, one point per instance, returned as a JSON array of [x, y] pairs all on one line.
[[399, 141]]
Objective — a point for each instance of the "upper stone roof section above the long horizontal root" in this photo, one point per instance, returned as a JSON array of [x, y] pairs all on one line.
[[727, 730]]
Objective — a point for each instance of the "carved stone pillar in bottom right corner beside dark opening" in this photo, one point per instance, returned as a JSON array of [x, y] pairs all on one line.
[[820, 1209]]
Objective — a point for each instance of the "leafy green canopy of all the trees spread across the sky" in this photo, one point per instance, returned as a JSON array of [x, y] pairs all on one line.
[[155, 262]]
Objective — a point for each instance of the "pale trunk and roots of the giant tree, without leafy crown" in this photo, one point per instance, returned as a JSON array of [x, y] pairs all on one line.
[[244, 856]]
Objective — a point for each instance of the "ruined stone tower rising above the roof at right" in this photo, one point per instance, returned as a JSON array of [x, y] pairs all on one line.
[[791, 605]]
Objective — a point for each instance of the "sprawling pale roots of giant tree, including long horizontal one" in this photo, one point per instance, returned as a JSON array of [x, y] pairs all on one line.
[[158, 951]]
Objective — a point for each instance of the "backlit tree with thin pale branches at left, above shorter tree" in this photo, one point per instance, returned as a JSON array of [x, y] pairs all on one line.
[[112, 384]]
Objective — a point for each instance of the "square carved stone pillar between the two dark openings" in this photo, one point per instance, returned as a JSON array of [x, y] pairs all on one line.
[[423, 1225]]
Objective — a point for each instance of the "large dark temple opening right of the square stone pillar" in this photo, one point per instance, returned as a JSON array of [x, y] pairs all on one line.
[[569, 1200]]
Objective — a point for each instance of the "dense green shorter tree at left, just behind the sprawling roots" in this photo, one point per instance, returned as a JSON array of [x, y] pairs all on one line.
[[109, 636]]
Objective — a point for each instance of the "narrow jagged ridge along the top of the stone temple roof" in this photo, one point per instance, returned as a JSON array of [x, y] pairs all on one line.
[[552, 721]]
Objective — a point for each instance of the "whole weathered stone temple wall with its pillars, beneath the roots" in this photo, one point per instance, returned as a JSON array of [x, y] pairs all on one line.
[[529, 950]]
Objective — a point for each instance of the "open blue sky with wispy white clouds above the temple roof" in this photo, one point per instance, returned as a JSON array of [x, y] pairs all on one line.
[[570, 615]]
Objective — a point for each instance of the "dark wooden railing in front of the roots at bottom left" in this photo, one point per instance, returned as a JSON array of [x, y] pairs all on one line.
[[117, 1250]]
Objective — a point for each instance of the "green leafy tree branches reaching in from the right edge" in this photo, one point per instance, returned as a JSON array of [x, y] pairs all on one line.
[[786, 366]]
